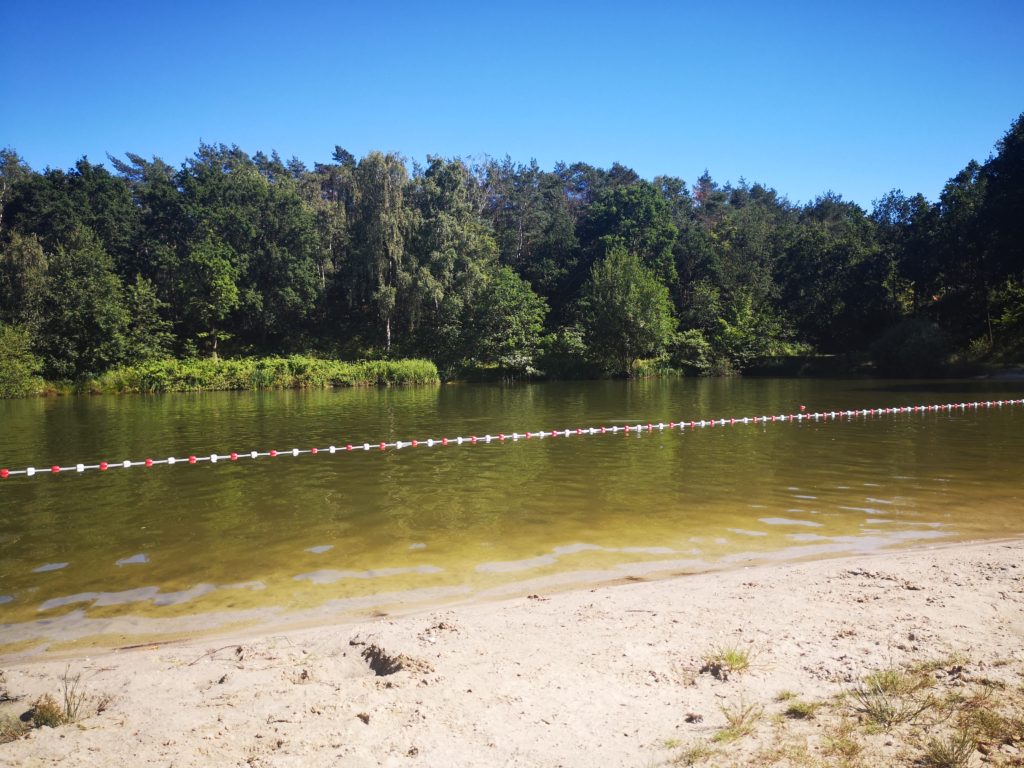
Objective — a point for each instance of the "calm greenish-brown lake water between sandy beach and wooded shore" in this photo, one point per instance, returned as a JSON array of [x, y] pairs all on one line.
[[132, 554]]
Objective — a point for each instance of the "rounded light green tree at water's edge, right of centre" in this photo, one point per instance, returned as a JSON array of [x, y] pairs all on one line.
[[626, 312]]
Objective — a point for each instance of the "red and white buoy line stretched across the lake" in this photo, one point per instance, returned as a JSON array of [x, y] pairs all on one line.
[[802, 416]]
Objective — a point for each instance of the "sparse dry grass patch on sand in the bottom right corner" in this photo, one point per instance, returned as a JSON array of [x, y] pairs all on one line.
[[929, 715]]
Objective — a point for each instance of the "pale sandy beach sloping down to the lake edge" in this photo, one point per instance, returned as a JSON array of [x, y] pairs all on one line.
[[890, 659]]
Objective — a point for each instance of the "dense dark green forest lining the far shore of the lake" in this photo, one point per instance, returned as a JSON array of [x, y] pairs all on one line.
[[496, 267]]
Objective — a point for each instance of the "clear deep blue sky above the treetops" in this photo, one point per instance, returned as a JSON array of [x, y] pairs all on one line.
[[804, 97]]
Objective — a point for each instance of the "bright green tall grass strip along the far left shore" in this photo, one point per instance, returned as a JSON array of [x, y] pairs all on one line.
[[297, 372]]
